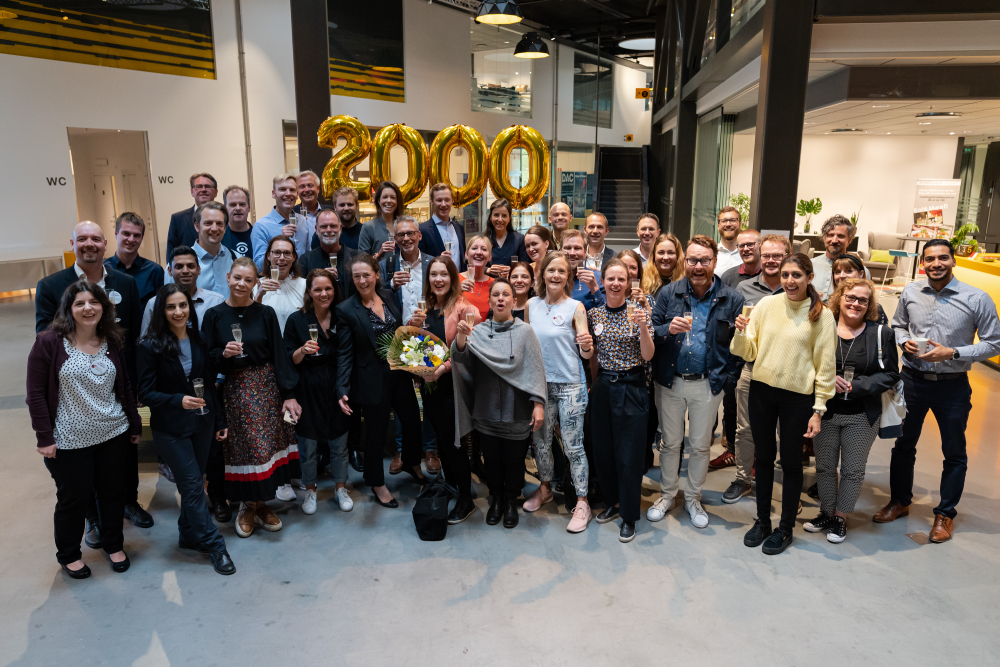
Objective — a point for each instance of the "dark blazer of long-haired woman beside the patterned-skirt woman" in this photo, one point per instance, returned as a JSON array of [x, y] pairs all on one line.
[[162, 386]]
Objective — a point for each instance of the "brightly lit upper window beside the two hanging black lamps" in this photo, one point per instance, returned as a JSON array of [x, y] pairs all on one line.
[[501, 83]]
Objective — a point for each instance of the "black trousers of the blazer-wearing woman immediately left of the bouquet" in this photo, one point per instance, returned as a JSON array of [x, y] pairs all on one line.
[[398, 396]]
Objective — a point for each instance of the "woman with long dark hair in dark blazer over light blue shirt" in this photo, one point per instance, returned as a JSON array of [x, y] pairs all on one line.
[[173, 365]]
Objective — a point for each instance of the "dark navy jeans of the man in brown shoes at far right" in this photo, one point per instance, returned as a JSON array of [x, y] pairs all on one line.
[[951, 402]]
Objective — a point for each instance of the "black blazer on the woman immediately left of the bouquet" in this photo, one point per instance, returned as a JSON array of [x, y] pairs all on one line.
[[359, 368]]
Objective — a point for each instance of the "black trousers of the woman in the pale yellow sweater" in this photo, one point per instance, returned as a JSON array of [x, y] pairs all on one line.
[[771, 408]]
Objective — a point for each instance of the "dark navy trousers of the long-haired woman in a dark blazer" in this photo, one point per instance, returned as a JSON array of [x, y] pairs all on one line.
[[188, 459]]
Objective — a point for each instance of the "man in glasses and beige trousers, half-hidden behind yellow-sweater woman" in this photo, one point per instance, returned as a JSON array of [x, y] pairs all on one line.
[[773, 250]]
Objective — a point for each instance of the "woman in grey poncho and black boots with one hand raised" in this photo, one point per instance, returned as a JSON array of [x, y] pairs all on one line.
[[499, 380]]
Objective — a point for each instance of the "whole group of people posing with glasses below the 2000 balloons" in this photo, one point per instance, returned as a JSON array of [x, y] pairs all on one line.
[[261, 362]]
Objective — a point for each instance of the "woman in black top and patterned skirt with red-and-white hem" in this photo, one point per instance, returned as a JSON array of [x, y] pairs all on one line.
[[261, 451]]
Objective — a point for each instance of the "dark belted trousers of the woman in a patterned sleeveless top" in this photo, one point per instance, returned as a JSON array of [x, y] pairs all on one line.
[[619, 426]]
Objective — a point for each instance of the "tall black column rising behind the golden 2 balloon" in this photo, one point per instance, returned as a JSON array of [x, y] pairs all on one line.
[[311, 55]]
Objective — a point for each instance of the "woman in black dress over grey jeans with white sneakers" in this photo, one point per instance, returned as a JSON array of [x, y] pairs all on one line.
[[316, 363]]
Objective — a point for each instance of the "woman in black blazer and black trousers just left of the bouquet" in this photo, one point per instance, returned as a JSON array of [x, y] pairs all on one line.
[[362, 321]]
